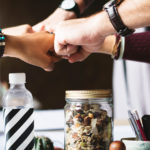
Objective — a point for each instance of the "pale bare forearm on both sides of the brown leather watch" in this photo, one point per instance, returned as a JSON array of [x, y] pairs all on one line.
[[134, 14]]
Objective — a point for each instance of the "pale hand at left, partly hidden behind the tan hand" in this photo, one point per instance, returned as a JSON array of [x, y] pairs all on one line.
[[18, 30]]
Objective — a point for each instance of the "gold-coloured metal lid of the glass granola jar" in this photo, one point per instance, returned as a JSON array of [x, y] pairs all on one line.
[[84, 94]]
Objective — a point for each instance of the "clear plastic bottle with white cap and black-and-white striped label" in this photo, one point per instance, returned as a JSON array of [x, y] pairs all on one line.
[[18, 115]]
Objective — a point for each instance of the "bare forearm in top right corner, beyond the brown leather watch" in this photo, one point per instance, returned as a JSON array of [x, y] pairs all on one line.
[[135, 13]]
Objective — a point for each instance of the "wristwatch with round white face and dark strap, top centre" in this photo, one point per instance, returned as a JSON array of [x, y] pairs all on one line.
[[70, 5]]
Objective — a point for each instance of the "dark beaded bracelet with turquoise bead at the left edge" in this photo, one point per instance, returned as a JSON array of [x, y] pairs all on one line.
[[2, 43]]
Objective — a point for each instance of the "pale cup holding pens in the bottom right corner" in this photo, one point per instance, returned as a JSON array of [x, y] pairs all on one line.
[[133, 144]]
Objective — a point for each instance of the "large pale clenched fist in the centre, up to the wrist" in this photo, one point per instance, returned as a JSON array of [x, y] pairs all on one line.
[[78, 32]]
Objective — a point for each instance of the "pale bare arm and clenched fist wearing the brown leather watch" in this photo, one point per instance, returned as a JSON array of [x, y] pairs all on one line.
[[71, 33]]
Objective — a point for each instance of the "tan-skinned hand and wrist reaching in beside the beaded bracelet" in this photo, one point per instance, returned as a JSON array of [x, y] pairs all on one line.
[[33, 48]]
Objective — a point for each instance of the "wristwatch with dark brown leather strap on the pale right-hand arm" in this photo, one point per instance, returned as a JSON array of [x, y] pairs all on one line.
[[112, 11]]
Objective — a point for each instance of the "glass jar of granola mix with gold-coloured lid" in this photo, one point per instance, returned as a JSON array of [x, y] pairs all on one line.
[[88, 120]]
